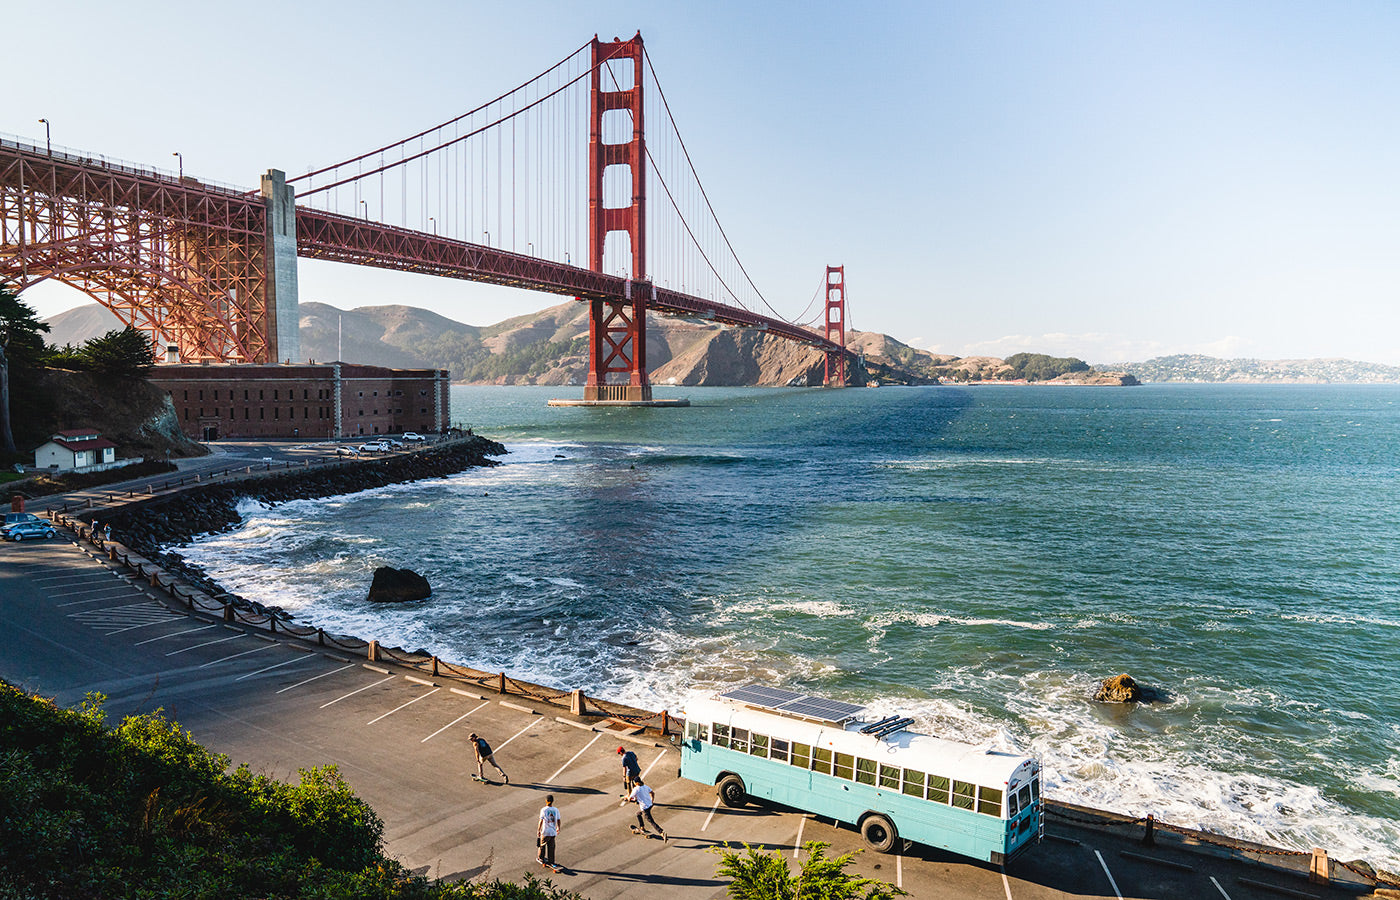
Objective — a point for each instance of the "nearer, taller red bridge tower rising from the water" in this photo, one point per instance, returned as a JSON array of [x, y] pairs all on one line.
[[618, 327]]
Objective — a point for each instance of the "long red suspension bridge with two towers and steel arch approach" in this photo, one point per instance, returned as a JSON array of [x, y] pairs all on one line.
[[544, 188]]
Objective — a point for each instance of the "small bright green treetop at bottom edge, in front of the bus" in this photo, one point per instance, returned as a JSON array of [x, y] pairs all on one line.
[[759, 876]]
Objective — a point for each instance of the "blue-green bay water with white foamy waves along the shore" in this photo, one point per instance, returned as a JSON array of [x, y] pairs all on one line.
[[975, 558]]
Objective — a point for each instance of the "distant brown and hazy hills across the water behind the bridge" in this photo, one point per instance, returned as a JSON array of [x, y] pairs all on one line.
[[549, 348]]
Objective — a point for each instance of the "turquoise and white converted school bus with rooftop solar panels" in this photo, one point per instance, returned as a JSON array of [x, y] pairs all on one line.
[[894, 785]]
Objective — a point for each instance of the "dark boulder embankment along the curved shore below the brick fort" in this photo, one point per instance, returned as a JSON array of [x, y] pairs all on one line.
[[150, 527]]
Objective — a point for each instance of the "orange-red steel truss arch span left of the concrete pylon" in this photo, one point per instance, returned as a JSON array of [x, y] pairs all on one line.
[[177, 260]]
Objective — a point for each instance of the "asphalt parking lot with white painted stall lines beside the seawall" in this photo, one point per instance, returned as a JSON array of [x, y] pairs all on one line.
[[78, 624]]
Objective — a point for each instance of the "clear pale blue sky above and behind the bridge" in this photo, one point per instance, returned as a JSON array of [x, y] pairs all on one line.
[[1112, 181]]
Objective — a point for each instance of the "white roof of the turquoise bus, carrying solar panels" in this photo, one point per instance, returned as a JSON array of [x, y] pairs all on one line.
[[906, 750]]
